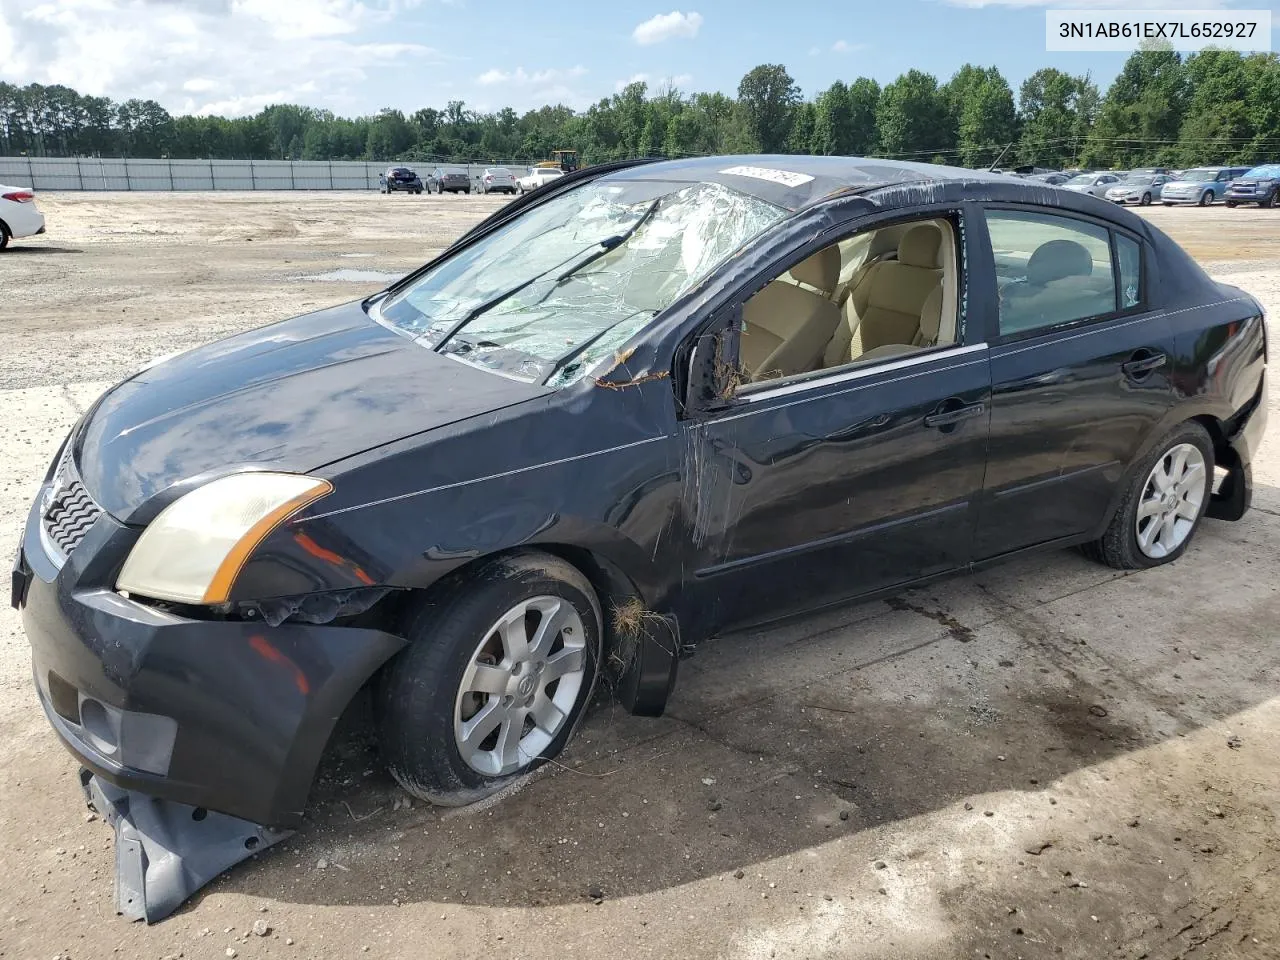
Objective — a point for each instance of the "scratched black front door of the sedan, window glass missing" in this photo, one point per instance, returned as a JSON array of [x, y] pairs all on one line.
[[858, 476]]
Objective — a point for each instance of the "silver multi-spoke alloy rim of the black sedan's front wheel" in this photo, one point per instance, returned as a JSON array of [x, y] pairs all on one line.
[[520, 685]]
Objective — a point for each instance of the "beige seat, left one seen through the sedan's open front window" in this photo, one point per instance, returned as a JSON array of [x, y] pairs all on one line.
[[785, 327]]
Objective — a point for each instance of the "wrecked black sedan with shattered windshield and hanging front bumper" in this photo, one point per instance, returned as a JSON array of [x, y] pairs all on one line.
[[641, 406]]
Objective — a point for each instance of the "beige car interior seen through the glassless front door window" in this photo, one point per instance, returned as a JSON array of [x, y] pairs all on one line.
[[880, 294]]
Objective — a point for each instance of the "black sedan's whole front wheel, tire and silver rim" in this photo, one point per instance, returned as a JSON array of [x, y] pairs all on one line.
[[424, 698]]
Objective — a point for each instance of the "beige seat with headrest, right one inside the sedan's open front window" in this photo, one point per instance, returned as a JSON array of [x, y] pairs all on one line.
[[886, 308]]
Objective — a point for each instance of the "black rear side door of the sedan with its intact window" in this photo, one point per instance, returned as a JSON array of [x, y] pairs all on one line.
[[1080, 369]]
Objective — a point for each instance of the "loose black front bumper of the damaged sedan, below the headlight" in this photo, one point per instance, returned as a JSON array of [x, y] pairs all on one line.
[[227, 716]]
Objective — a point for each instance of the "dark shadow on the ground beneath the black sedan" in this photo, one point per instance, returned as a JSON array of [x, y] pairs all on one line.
[[784, 739]]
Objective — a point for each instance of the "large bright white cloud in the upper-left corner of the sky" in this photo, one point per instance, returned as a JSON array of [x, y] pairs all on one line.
[[205, 57]]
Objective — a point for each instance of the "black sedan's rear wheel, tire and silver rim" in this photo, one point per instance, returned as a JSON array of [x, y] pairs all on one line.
[[1121, 546]]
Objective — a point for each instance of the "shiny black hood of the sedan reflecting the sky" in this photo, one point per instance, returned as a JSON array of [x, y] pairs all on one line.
[[294, 396]]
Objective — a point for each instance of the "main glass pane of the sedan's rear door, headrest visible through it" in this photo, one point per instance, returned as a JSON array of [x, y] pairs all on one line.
[[1050, 271]]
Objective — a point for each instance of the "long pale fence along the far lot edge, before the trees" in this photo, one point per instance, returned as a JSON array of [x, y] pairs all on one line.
[[93, 173]]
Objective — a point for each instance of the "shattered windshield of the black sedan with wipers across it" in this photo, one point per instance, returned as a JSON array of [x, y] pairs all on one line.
[[557, 290]]
